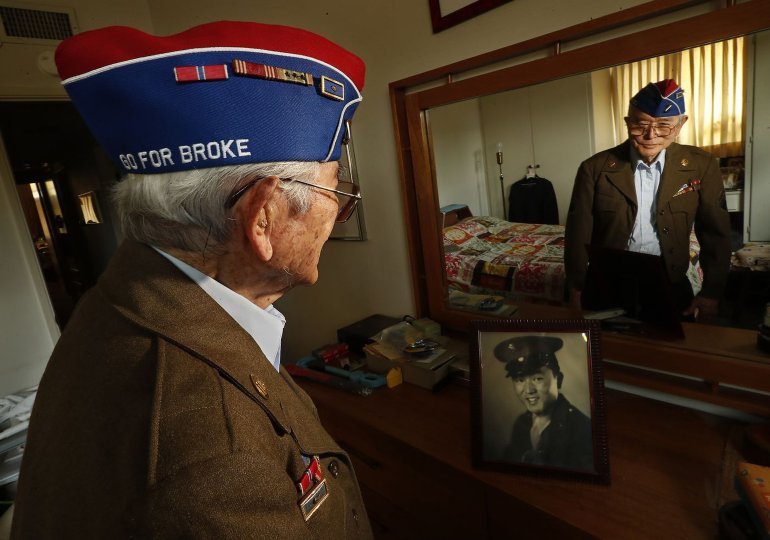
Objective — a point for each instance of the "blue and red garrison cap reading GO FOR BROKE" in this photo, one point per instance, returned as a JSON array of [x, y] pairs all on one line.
[[222, 93]]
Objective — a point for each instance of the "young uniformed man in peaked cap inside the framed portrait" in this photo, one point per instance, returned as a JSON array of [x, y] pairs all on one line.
[[552, 432]]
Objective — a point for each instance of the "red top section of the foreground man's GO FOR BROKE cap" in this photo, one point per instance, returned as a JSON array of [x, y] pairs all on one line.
[[106, 46]]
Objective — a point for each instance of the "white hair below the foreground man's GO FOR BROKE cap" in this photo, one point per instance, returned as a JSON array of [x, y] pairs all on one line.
[[186, 209]]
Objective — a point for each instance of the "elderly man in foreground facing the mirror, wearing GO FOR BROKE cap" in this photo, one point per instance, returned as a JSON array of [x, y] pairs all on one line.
[[164, 411]]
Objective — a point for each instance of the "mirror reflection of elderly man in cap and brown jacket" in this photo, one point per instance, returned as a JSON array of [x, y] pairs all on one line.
[[645, 195]]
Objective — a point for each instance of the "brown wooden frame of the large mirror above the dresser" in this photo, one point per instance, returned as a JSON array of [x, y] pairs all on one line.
[[717, 365]]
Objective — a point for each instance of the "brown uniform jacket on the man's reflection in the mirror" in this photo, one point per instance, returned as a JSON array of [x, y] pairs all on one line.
[[603, 210]]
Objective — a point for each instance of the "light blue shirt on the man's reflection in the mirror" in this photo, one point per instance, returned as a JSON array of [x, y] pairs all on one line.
[[644, 237]]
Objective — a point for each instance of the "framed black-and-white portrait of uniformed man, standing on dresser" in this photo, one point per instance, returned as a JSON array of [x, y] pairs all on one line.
[[537, 398]]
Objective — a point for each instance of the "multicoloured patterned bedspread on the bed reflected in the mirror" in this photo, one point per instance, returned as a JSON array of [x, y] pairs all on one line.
[[488, 255]]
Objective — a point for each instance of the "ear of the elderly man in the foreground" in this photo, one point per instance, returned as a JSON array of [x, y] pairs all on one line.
[[254, 211]]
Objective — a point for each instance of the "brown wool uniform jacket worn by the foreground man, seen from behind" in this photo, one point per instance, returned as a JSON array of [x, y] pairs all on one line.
[[147, 424]]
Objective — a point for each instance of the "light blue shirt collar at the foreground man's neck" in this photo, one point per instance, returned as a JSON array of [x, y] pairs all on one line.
[[265, 326]]
